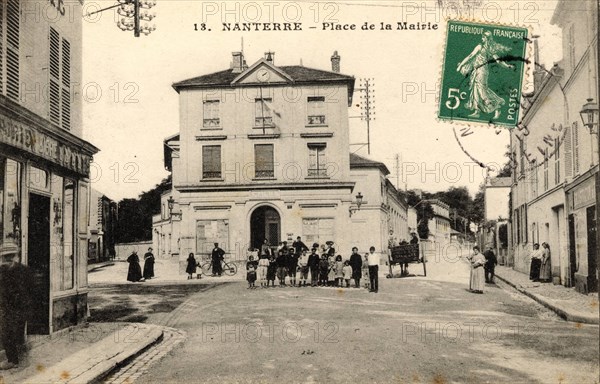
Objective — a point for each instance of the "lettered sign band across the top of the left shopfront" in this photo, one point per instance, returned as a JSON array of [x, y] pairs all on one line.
[[28, 139]]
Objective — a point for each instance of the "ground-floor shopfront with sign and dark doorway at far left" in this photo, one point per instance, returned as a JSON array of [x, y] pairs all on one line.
[[44, 197]]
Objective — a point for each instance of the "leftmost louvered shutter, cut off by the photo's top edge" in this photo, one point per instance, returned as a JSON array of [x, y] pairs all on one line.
[[12, 51]]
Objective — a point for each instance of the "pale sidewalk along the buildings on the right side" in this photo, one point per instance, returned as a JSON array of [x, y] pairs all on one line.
[[566, 302]]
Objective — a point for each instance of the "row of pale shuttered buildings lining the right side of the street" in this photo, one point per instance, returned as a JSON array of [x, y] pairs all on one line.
[[553, 192]]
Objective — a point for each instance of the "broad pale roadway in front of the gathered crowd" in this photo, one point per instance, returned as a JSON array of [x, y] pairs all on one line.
[[416, 329]]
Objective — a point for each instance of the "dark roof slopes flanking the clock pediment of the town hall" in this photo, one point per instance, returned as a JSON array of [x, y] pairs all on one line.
[[298, 73]]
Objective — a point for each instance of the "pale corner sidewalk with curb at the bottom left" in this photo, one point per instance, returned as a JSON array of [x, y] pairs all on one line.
[[82, 354]]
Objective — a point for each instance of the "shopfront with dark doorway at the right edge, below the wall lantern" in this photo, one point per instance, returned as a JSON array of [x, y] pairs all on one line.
[[582, 232]]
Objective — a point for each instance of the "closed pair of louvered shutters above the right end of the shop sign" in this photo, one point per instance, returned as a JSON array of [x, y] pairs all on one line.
[[60, 80]]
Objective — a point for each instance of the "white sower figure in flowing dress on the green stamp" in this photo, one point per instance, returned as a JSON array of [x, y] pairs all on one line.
[[481, 97]]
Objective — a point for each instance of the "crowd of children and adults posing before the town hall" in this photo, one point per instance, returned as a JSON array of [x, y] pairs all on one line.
[[294, 264]]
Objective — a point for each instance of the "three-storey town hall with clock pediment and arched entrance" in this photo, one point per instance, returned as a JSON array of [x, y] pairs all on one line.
[[262, 153]]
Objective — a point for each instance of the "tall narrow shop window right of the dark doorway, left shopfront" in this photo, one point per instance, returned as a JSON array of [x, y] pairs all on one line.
[[68, 234]]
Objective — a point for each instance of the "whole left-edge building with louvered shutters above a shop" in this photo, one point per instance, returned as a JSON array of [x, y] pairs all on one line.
[[44, 163]]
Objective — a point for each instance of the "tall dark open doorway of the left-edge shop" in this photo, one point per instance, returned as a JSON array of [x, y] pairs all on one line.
[[38, 256]]
